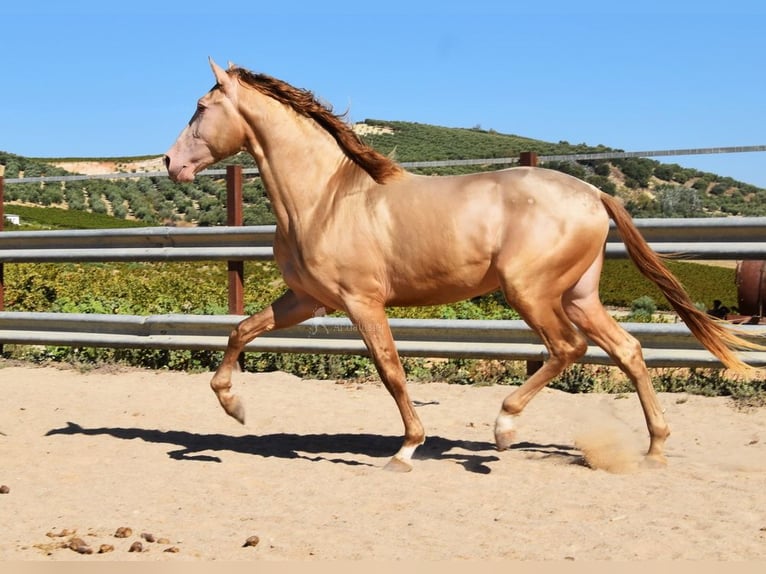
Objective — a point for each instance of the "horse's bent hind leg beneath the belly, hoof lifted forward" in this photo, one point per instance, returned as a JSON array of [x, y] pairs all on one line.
[[565, 345]]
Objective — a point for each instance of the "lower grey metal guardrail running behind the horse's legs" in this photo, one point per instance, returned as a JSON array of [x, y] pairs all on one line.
[[664, 345]]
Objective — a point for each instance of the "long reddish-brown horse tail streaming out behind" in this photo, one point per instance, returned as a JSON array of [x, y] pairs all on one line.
[[715, 335]]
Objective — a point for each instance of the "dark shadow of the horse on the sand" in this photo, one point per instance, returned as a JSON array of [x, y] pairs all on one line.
[[338, 448]]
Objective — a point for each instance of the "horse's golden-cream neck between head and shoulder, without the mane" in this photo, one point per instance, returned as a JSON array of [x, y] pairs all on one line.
[[298, 162]]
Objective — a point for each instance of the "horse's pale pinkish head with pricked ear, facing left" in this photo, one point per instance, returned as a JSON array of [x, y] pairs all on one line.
[[215, 131]]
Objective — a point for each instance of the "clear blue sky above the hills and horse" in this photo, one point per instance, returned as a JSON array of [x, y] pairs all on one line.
[[87, 78]]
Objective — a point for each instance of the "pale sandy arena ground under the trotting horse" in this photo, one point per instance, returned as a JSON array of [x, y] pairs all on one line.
[[84, 454]]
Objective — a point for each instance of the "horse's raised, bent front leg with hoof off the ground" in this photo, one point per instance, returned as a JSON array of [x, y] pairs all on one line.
[[290, 309]]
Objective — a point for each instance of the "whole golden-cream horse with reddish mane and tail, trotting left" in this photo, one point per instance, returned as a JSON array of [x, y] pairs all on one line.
[[356, 232]]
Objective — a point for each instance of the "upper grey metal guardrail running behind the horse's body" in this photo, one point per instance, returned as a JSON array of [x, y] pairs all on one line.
[[693, 238]]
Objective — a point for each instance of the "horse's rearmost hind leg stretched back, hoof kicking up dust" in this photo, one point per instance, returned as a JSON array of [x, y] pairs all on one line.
[[584, 308]]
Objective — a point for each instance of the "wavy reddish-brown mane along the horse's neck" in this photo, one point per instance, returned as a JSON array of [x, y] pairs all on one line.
[[378, 166]]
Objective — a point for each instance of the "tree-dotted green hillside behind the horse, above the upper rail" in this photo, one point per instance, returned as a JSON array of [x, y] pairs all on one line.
[[650, 188]]
